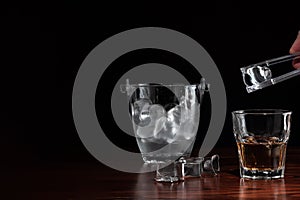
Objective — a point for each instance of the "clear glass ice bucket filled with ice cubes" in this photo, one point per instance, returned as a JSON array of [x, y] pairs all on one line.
[[165, 118]]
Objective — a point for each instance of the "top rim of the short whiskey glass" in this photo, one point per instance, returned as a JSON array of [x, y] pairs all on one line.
[[261, 111]]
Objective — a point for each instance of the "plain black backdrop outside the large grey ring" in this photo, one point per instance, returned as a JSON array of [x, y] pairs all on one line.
[[43, 46]]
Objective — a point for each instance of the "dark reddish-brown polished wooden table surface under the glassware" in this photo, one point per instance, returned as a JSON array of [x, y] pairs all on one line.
[[92, 180]]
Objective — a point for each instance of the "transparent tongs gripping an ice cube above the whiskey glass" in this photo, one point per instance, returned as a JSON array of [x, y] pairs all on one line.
[[259, 75]]
